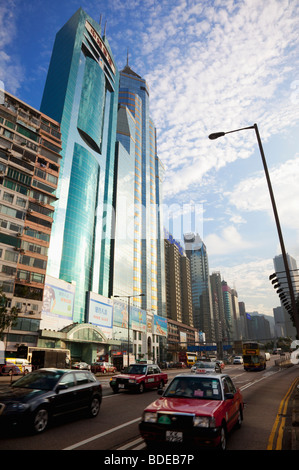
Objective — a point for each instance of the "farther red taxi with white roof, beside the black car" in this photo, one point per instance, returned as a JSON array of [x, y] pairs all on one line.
[[139, 377]]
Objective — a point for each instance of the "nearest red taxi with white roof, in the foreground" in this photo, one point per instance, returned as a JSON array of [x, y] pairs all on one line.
[[194, 411]]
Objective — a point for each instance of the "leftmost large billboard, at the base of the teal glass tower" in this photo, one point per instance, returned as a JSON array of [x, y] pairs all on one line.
[[58, 304]]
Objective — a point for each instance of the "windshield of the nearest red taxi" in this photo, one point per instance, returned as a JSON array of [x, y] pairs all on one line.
[[194, 387]]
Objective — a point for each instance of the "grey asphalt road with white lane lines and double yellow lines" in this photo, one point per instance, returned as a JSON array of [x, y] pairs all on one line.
[[266, 417]]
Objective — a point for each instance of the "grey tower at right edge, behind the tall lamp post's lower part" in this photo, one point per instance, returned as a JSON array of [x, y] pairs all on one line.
[[282, 279]]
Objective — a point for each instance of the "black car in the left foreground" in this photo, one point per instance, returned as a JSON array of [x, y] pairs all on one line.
[[46, 393]]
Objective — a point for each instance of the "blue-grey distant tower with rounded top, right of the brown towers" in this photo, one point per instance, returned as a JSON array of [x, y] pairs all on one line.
[[203, 316]]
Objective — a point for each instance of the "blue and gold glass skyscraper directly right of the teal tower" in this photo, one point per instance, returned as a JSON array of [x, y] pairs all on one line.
[[137, 136]]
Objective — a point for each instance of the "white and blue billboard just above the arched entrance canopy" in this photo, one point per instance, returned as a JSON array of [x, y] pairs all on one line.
[[100, 312]]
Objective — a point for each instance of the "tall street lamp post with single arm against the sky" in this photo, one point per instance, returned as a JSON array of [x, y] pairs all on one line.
[[283, 251]]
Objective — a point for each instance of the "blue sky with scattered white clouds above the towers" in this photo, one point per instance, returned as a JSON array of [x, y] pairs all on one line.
[[210, 66]]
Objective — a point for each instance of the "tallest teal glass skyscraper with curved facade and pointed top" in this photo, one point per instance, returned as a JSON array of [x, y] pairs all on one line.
[[81, 92]]
